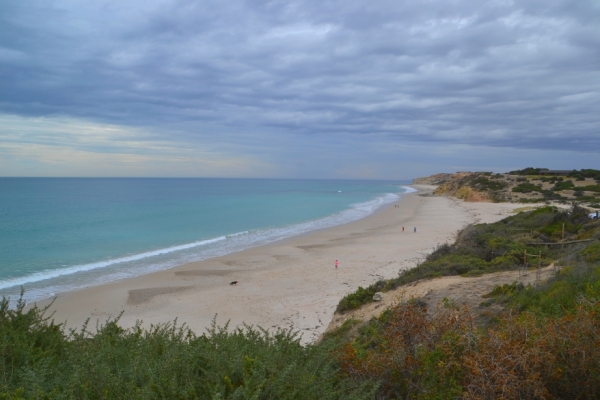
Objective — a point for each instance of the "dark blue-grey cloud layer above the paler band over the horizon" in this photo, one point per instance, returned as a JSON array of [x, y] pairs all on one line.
[[498, 73]]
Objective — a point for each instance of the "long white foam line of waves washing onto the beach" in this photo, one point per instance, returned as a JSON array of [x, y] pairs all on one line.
[[44, 284]]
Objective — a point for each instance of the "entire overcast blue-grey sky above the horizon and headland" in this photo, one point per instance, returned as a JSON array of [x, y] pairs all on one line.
[[310, 89]]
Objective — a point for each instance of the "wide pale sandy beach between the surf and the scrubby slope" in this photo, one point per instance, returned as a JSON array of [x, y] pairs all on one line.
[[288, 284]]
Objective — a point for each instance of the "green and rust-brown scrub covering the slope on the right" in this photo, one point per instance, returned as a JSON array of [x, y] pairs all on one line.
[[545, 345]]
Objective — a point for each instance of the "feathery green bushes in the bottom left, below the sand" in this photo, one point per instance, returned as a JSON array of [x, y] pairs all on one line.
[[38, 360]]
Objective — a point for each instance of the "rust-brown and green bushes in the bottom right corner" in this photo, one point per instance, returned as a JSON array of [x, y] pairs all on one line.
[[442, 355]]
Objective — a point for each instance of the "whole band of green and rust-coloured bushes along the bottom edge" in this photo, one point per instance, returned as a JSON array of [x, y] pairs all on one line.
[[410, 352]]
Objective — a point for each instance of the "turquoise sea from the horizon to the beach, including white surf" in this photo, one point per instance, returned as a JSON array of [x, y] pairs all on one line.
[[58, 234]]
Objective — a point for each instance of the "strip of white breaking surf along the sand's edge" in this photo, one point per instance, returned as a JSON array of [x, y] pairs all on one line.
[[106, 271]]
